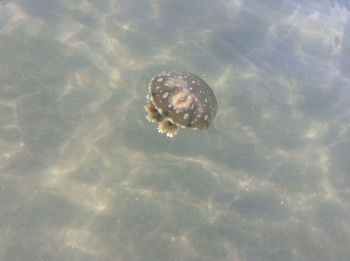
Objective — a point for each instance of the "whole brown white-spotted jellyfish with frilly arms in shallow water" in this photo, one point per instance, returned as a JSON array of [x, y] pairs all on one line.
[[181, 99]]
